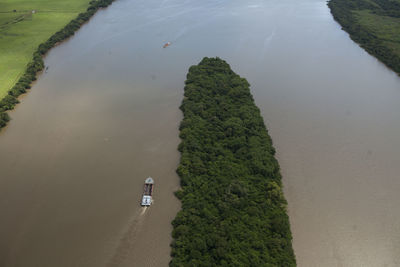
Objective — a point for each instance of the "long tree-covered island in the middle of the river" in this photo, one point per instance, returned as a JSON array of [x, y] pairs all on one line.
[[233, 209]]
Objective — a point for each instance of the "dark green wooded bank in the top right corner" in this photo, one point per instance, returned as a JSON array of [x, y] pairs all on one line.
[[374, 24]]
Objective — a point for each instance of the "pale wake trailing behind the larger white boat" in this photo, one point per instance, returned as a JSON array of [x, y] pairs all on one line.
[[128, 239]]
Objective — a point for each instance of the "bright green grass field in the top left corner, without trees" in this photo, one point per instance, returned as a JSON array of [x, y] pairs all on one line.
[[21, 31]]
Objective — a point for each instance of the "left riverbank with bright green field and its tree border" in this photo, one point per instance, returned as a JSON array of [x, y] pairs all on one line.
[[25, 29]]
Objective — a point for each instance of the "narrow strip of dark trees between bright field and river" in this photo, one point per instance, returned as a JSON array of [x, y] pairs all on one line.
[[36, 64]]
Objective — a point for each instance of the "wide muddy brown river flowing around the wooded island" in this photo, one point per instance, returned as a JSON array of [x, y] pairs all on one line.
[[105, 116]]
